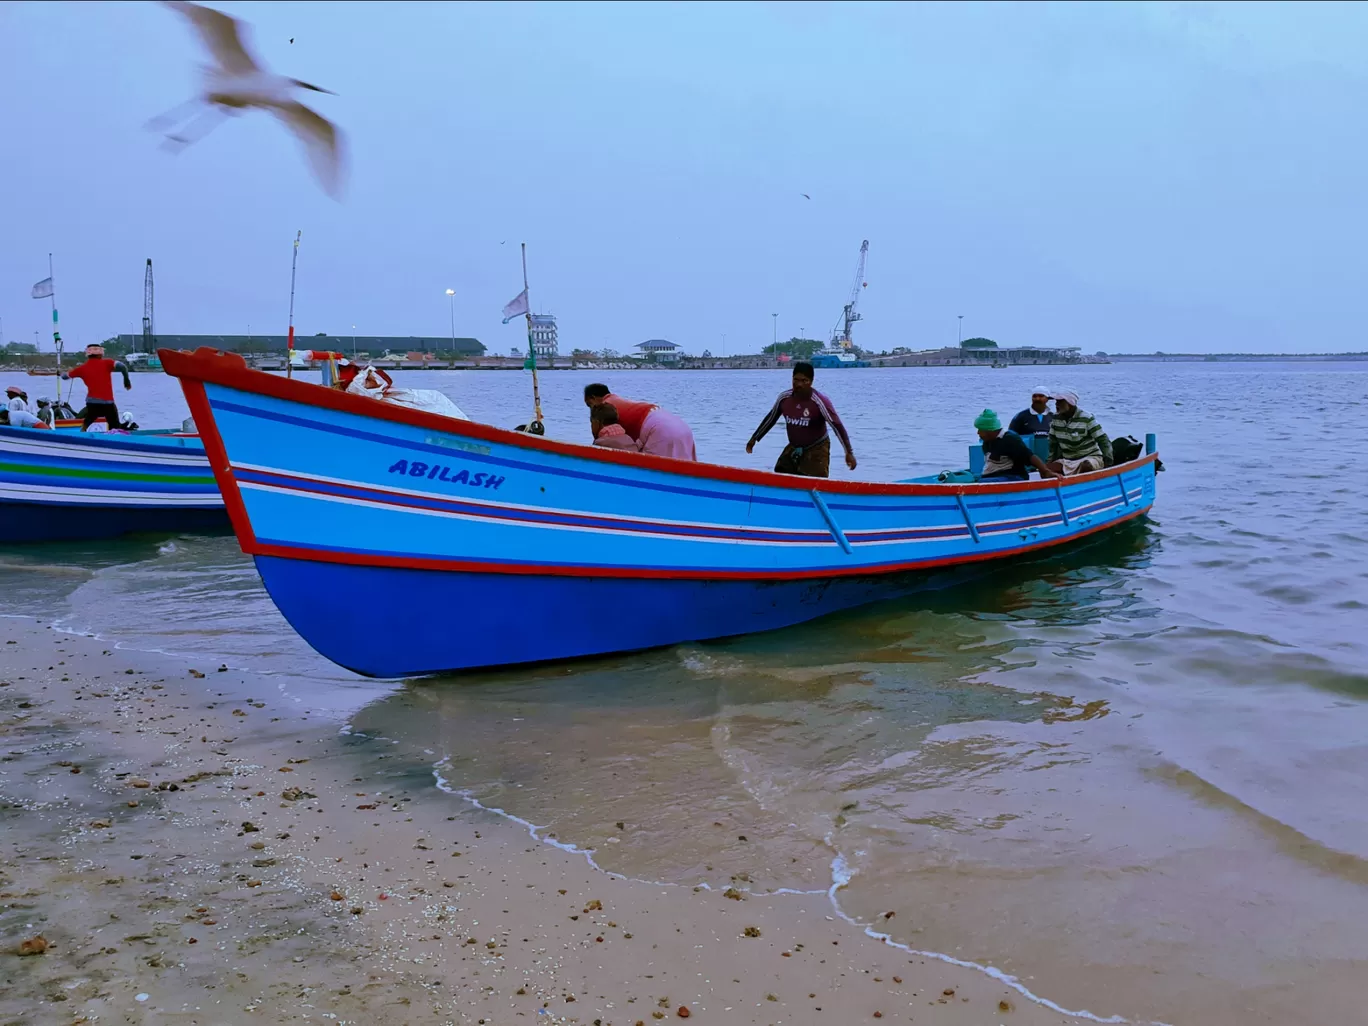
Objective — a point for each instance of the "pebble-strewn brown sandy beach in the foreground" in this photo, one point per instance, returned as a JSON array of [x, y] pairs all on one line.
[[194, 849]]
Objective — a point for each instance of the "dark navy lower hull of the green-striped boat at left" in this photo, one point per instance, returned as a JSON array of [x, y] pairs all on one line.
[[43, 522]]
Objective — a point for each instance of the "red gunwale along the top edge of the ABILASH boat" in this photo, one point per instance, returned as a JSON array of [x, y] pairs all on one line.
[[231, 371]]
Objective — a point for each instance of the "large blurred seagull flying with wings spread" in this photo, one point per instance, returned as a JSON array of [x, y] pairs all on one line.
[[236, 84]]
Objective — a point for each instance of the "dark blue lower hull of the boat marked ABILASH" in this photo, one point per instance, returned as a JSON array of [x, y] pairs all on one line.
[[415, 622]]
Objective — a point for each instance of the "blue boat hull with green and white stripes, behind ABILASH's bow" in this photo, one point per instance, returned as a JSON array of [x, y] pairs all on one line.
[[70, 486]]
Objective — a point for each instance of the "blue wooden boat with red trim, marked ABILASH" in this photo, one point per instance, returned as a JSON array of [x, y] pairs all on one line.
[[399, 542]]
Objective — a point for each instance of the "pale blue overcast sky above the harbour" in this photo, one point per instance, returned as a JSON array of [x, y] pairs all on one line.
[[1129, 179]]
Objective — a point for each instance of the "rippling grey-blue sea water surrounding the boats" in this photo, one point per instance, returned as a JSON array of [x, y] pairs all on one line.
[[1129, 775]]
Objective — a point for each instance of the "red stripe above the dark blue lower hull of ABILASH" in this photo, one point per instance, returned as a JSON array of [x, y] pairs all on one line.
[[410, 563]]
